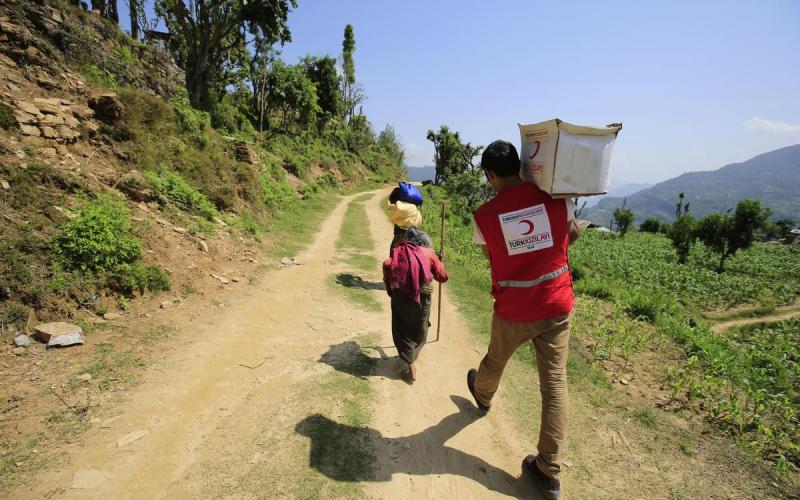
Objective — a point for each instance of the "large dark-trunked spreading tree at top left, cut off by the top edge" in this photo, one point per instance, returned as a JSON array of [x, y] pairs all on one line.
[[208, 36]]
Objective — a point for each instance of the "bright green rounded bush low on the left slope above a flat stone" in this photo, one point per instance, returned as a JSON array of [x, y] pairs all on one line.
[[99, 238]]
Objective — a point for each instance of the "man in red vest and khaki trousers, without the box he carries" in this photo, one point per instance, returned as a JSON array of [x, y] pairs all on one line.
[[525, 235]]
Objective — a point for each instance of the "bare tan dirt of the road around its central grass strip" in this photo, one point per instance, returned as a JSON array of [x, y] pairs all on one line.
[[208, 420]]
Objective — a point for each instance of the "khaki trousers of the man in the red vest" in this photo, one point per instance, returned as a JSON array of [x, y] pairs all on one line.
[[550, 338]]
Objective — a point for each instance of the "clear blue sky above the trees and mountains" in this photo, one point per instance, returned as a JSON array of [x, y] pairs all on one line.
[[697, 85]]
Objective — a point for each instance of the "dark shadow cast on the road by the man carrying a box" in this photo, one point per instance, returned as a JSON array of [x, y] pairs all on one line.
[[346, 453]]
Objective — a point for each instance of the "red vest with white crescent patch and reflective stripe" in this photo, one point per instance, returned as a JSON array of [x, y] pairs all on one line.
[[527, 236]]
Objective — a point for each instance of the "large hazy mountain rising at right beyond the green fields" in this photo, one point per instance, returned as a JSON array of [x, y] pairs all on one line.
[[773, 178]]
